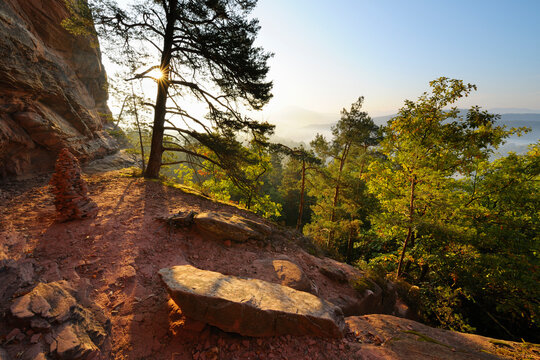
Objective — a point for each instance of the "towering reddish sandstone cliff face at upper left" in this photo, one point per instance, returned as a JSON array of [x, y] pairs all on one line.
[[52, 90]]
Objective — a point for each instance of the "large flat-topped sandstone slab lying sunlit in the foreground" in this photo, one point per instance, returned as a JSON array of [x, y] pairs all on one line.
[[250, 307]]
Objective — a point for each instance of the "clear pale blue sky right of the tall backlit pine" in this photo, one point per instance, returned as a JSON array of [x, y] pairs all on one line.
[[327, 53]]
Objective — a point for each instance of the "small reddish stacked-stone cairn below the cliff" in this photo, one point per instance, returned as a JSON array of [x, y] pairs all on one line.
[[70, 190]]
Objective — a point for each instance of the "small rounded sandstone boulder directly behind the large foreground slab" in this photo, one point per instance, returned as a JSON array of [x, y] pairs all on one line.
[[282, 271]]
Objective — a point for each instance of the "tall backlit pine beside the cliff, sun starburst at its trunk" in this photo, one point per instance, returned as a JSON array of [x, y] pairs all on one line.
[[202, 49]]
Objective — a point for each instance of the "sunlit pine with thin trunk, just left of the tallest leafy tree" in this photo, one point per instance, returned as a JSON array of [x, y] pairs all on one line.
[[345, 160]]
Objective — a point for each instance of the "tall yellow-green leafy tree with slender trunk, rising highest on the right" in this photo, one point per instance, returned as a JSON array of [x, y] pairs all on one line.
[[425, 147]]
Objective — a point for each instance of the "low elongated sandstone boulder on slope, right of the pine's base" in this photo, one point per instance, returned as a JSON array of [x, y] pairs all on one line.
[[231, 227]]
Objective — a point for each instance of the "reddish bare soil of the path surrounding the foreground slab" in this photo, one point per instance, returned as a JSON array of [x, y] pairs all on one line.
[[116, 256]]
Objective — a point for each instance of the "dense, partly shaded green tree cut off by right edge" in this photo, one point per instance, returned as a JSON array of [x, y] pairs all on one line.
[[503, 214]]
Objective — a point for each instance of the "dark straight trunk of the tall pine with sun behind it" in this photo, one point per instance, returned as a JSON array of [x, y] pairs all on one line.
[[156, 149]]
